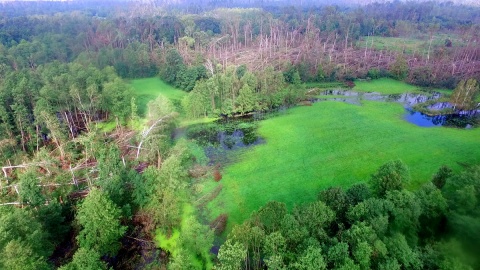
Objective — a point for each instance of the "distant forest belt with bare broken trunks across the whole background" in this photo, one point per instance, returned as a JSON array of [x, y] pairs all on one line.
[[321, 39]]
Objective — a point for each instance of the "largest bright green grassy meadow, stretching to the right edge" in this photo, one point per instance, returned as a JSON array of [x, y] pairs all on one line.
[[335, 144]]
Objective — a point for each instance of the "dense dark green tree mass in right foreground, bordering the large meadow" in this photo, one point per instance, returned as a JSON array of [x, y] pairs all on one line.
[[376, 226]]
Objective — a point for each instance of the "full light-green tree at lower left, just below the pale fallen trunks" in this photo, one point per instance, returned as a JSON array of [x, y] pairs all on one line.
[[99, 219]]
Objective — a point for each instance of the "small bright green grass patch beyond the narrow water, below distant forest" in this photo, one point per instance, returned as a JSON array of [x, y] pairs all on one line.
[[385, 86]]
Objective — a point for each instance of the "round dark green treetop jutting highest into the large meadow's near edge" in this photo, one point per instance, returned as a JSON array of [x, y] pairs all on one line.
[[392, 175]]
